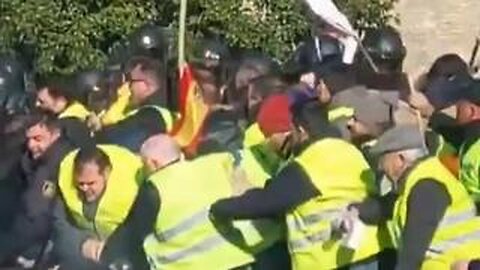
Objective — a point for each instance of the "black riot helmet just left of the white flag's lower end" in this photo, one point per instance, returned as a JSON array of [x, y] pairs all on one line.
[[314, 53]]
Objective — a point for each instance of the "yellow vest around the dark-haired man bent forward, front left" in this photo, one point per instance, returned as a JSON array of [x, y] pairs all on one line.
[[118, 197]]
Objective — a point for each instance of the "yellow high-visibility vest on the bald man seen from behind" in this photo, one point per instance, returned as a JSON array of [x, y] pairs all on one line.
[[185, 238]]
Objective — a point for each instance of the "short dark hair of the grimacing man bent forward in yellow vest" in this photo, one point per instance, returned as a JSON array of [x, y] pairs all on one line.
[[91, 154]]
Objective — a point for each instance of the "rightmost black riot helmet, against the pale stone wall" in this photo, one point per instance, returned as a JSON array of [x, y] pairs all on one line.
[[385, 46]]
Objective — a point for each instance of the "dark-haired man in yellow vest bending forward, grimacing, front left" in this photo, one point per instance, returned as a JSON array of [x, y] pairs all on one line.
[[98, 186]]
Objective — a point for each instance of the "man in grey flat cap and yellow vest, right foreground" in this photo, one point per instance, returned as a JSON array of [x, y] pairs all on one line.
[[433, 222]]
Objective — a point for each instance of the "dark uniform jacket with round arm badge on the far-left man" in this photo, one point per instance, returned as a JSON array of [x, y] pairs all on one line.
[[31, 225]]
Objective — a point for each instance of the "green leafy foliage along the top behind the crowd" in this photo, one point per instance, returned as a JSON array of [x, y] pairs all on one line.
[[68, 35]]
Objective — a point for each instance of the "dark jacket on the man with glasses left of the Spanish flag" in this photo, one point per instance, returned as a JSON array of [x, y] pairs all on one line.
[[134, 130]]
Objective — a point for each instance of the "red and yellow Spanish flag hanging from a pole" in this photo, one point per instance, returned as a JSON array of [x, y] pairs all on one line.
[[193, 112]]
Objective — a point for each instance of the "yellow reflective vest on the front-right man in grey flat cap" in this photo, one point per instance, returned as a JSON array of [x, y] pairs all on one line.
[[458, 236]]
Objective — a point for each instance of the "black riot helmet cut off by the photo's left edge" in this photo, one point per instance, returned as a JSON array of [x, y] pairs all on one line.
[[13, 95]]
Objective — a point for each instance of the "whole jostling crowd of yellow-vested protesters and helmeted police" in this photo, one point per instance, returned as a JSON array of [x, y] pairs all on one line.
[[247, 164]]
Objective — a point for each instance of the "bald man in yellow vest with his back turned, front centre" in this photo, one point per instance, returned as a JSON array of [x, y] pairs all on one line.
[[171, 219]]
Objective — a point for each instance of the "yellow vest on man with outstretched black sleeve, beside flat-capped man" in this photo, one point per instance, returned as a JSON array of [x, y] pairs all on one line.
[[343, 176]]
